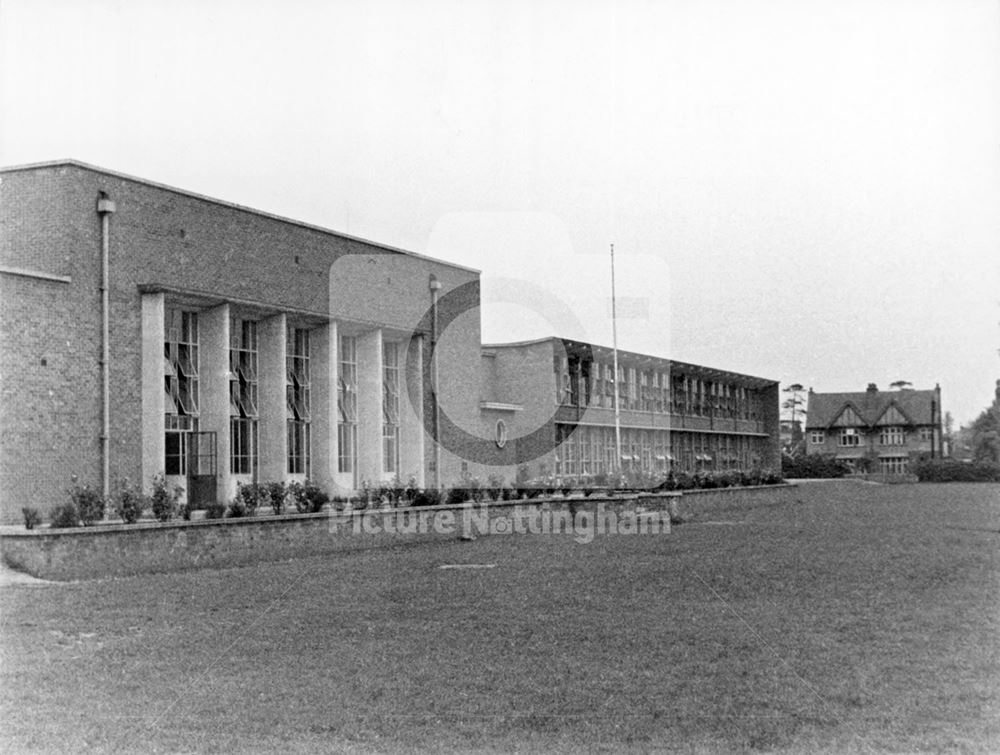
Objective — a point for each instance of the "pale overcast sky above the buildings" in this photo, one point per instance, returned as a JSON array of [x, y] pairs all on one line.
[[806, 191]]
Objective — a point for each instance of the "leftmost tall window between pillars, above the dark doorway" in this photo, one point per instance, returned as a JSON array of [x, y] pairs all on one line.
[[180, 384]]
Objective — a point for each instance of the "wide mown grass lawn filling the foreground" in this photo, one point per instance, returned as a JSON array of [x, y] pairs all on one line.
[[862, 618]]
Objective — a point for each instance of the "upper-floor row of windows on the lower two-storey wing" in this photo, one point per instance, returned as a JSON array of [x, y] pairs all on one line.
[[592, 384]]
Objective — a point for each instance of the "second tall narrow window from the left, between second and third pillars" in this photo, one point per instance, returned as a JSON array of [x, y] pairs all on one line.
[[243, 397]]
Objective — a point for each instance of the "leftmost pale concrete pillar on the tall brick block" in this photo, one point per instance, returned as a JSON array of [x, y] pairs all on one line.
[[153, 403]]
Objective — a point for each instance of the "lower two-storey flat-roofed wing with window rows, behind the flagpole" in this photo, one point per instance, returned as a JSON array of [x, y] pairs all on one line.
[[673, 416]]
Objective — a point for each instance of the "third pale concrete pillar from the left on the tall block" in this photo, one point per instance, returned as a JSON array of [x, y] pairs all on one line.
[[272, 452]]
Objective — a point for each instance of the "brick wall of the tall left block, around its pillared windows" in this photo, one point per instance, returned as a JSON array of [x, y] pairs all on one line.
[[199, 254]]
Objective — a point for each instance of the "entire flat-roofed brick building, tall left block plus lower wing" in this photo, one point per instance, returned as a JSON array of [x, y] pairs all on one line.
[[173, 251]]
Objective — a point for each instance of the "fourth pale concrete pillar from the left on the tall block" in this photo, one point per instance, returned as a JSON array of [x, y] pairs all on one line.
[[323, 366]]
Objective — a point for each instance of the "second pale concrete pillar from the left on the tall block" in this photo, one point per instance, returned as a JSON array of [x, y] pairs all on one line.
[[213, 327]]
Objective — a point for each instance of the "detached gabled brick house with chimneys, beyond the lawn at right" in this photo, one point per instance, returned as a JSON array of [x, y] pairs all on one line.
[[873, 430]]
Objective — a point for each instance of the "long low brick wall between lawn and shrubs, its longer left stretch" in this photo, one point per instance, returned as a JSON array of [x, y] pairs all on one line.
[[122, 550]]
